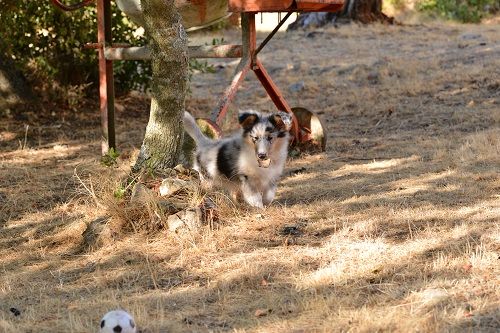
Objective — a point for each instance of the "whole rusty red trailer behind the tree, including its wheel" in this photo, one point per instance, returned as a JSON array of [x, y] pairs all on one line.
[[307, 128]]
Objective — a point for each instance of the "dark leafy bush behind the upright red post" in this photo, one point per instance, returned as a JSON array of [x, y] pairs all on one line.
[[48, 42]]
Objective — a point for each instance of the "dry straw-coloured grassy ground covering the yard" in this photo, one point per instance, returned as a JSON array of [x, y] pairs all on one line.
[[394, 228]]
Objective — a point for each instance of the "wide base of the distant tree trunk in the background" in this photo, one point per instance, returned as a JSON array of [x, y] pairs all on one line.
[[364, 11]]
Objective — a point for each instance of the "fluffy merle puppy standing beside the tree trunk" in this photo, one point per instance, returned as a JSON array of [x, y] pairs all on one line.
[[248, 163]]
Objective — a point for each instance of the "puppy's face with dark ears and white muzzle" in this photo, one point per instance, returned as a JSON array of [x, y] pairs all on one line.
[[262, 131]]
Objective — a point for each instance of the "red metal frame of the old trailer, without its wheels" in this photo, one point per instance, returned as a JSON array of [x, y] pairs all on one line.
[[248, 51]]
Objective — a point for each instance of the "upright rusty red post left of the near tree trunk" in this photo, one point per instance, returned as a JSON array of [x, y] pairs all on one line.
[[106, 86]]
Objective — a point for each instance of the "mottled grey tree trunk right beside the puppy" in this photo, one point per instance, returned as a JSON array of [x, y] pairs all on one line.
[[162, 143]]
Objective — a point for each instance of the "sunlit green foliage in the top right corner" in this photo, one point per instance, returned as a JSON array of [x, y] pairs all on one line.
[[468, 11]]
